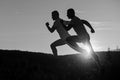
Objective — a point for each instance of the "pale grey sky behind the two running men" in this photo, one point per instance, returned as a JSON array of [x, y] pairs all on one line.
[[22, 23]]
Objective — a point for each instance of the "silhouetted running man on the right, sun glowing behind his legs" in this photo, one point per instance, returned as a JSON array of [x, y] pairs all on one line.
[[82, 34]]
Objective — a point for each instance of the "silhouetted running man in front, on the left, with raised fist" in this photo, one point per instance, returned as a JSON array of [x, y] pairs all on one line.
[[58, 26]]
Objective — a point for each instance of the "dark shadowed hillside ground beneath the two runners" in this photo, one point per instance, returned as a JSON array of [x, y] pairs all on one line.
[[23, 65]]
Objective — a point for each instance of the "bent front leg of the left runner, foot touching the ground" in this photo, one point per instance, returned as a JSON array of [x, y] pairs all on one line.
[[55, 44]]
